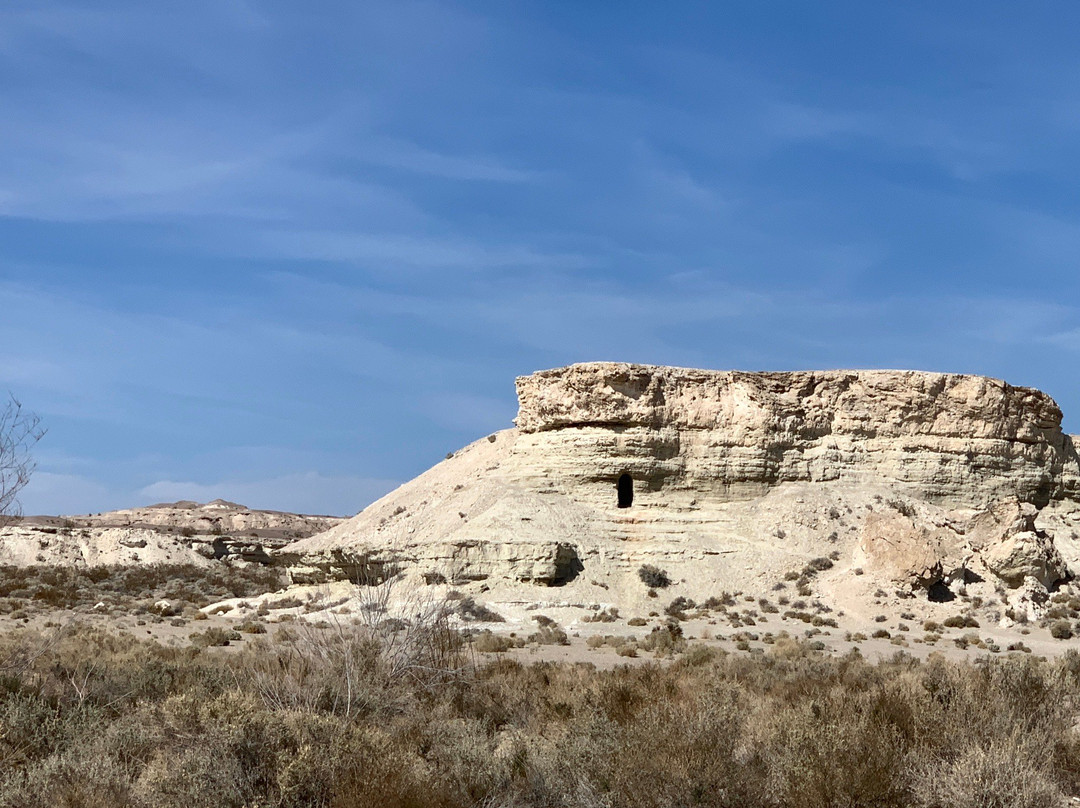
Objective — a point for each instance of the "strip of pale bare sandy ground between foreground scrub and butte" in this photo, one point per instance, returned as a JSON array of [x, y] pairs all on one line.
[[712, 630]]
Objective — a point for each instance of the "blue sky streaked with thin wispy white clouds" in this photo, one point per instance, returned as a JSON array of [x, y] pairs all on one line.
[[292, 254]]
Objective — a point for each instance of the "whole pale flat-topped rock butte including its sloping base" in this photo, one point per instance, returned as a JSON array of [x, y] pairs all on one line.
[[730, 479]]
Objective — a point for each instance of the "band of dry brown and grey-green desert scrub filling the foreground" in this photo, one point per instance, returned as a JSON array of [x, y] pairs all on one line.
[[353, 717]]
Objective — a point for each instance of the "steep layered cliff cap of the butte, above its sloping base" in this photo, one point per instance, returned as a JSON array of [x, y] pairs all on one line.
[[953, 439]]
